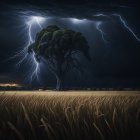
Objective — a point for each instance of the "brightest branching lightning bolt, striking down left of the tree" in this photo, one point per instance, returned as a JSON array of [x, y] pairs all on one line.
[[31, 59]]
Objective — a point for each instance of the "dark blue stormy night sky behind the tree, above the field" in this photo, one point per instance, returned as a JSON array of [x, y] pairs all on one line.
[[115, 61]]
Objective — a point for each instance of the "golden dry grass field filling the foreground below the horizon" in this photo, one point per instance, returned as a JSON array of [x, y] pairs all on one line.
[[81, 115]]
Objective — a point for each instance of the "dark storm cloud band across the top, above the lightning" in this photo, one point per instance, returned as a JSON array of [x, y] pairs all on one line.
[[80, 9]]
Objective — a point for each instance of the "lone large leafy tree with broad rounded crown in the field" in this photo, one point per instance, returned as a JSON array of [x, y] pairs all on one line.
[[59, 47]]
